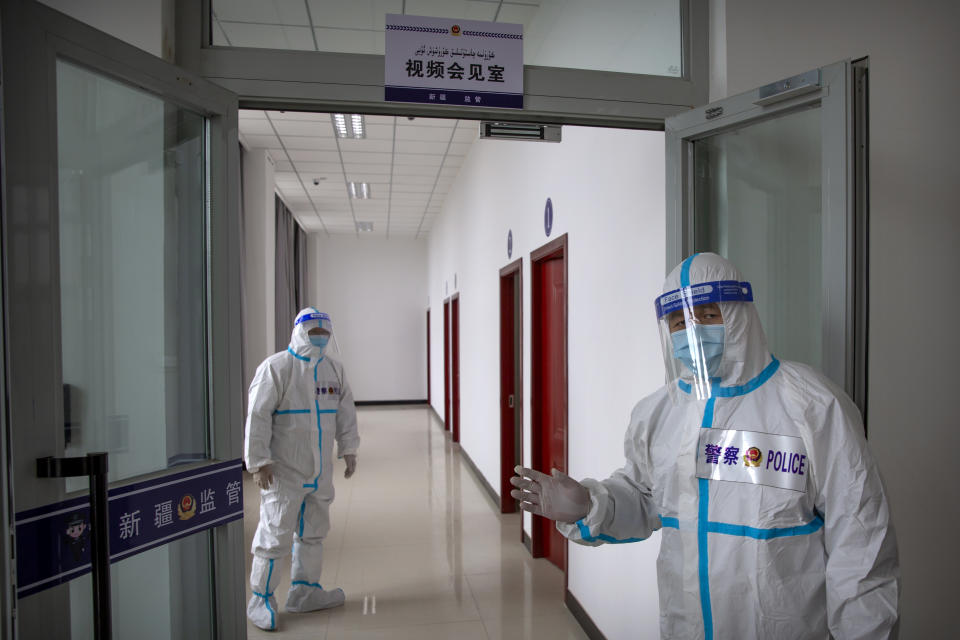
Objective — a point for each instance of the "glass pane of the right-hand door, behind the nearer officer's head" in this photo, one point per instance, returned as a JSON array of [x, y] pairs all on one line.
[[757, 201]]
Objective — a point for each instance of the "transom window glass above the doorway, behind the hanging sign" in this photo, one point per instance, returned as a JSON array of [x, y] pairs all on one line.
[[628, 36]]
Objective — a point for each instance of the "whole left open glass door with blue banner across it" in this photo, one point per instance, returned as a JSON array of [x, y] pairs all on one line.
[[121, 259]]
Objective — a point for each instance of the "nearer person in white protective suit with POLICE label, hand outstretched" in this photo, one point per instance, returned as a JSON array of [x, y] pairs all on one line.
[[773, 517]]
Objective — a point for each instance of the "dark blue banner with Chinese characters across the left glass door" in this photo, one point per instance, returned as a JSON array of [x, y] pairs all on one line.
[[54, 541]]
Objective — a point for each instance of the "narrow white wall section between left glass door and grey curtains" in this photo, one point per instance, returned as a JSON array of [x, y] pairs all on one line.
[[260, 248]]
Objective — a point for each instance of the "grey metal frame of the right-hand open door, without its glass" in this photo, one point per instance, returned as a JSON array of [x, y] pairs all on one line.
[[843, 215]]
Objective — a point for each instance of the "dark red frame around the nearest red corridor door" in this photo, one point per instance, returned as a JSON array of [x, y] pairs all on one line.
[[554, 249]]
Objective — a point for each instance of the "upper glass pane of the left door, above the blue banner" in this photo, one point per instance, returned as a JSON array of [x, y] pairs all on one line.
[[132, 270]]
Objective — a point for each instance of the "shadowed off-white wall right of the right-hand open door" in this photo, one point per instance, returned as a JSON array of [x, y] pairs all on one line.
[[914, 234]]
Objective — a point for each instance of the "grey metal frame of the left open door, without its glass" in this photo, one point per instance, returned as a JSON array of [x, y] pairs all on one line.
[[34, 36]]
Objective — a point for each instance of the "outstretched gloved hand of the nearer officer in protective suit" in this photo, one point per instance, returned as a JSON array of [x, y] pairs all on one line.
[[557, 496]]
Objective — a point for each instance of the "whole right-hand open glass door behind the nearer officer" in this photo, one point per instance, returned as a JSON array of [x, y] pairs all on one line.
[[769, 180]]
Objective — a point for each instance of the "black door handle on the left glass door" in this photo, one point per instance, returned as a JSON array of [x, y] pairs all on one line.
[[94, 466]]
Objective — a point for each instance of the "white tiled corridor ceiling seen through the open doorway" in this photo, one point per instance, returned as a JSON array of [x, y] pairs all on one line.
[[410, 165]]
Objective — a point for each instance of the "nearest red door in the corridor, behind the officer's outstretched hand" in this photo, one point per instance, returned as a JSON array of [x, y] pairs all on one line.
[[549, 402]]
